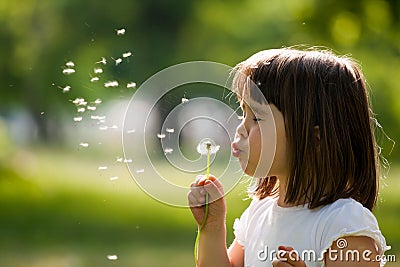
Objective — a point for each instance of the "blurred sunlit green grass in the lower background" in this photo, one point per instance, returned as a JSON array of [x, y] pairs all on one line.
[[57, 209]]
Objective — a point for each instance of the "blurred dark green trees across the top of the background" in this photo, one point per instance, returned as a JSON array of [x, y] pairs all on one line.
[[39, 37]]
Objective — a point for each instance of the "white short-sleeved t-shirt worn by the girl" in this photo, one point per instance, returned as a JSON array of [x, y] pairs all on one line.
[[264, 226]]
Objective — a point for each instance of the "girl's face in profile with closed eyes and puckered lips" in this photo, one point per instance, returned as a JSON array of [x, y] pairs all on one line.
[[260, 141]]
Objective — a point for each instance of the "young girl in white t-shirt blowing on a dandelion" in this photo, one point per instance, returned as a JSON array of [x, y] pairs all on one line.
[[311, 204]]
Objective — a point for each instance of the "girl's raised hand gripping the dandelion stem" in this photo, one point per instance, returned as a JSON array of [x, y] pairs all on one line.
[[197, 200]]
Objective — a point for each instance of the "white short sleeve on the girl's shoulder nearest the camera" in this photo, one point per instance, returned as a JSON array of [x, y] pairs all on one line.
[[350, 218]]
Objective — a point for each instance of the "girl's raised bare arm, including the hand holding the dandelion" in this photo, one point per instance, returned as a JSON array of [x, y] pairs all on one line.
[[212, 249]]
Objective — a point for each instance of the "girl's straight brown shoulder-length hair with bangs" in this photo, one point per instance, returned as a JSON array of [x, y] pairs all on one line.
[[317, 88]]
